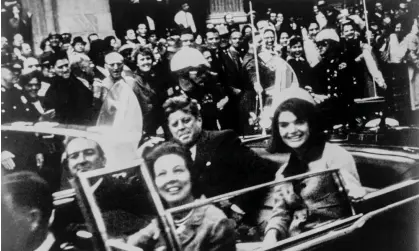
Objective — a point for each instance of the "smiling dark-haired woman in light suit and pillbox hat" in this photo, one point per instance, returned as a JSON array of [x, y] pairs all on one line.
[[305, 204]]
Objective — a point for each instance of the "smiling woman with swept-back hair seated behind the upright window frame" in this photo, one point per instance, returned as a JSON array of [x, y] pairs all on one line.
[[203, 228]]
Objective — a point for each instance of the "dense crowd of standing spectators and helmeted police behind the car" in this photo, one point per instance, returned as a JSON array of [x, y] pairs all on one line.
[[336, 55]]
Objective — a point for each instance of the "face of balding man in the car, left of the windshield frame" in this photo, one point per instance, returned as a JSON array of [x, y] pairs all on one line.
[[84, 155]]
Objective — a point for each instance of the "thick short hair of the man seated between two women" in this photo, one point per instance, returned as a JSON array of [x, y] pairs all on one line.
[[181, 103]]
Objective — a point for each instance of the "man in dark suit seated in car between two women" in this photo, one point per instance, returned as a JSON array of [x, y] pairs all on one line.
[[222, 163]]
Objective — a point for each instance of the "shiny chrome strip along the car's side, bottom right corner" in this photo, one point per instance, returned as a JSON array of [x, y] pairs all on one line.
[[342, 232]]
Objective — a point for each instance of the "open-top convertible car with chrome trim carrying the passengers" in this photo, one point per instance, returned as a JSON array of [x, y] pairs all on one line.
[[105, 206]]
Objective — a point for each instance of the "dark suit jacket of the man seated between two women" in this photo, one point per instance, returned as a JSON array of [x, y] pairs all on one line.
[[223, 164]]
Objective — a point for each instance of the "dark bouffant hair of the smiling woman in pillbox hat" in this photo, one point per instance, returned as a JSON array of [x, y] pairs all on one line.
[[303, 110]]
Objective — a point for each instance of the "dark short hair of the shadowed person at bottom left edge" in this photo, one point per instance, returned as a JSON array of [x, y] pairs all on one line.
[[29, 190]]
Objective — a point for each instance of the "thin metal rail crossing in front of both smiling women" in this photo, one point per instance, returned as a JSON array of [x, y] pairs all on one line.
[[203, 202]]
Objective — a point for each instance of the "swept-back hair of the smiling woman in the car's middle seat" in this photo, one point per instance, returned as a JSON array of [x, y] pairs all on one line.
[[166, 148]]
